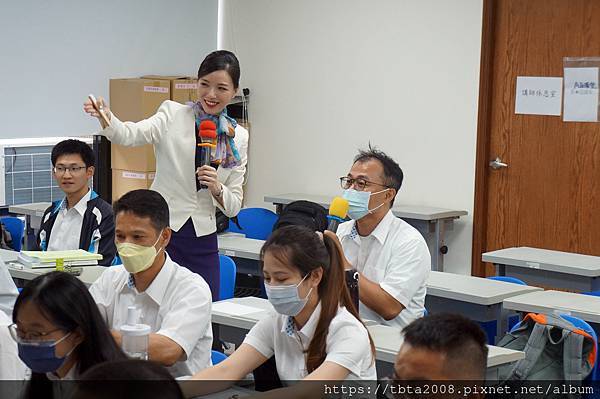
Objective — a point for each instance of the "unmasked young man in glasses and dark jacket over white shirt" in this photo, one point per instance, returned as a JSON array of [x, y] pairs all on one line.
[[81, 219]]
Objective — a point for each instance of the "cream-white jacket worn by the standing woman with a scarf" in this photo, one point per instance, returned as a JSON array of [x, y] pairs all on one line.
[[171, 131]]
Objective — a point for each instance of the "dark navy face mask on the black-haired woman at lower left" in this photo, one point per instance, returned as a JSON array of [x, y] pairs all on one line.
[[40, 357]]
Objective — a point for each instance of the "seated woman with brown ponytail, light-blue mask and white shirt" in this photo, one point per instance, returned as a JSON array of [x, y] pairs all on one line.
[[316, 333]]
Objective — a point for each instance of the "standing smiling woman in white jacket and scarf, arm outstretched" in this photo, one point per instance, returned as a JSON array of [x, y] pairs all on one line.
[[173, 131]]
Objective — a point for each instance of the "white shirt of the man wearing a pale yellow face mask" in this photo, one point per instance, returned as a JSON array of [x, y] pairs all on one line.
[[177, 304]]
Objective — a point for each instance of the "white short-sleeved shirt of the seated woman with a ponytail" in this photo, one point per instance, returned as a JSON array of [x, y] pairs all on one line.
[[347, 344]]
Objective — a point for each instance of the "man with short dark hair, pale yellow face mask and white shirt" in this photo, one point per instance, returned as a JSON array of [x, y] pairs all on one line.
[[173, 301]]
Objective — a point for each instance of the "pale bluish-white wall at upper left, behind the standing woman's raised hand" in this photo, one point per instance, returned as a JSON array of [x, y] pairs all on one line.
[[54, 53]]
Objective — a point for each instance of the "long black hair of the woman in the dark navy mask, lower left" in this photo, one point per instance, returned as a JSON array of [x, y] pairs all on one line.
[[65, 301]]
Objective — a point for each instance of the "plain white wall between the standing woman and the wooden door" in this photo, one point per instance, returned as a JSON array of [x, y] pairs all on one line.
[[328, 76]]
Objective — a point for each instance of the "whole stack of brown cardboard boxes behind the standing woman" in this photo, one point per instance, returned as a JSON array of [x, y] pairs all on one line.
[[134, 100]]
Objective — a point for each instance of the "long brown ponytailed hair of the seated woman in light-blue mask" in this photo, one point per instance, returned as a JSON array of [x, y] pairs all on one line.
[[302, 248]]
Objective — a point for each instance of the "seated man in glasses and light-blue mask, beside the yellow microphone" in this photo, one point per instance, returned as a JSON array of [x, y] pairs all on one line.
[[390, 255]]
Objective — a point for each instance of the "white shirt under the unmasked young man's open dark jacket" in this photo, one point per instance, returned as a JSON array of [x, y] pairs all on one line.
[[66, 230]]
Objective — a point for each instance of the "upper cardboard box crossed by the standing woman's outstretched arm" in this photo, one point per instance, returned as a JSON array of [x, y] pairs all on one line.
[[134, 100]]
